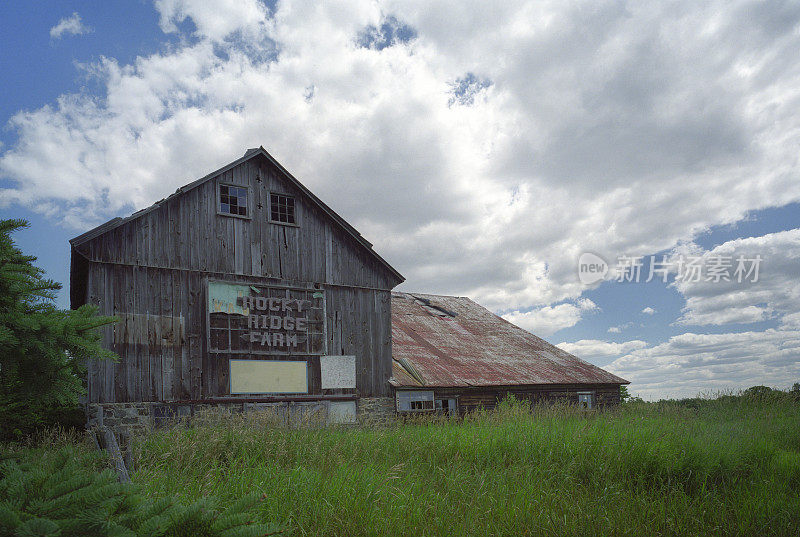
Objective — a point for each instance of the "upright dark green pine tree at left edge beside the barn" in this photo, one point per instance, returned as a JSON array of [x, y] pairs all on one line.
[[42, 349]]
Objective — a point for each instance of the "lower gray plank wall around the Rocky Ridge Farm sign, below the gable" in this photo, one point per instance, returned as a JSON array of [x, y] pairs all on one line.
[[162, 344]]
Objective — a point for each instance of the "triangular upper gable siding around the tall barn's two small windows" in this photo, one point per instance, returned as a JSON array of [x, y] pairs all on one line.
[[186, 232]]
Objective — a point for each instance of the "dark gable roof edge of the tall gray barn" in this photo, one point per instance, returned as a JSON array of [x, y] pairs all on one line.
[[249, 154]]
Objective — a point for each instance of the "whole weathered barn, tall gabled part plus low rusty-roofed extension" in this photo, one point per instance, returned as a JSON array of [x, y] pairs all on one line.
[[243, 290]]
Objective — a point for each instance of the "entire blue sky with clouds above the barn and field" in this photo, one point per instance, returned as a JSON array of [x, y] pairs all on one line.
[[481, 148]]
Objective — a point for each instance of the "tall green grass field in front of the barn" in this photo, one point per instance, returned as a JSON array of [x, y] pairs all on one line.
[[729, 466]]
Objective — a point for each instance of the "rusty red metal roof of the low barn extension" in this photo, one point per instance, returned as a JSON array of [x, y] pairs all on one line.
[[447, 341]]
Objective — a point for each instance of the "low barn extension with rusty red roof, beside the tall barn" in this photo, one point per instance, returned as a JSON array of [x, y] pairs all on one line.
[[452, 354]]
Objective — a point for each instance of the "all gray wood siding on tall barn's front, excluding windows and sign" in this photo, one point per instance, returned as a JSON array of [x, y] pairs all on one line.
[[152, 272]]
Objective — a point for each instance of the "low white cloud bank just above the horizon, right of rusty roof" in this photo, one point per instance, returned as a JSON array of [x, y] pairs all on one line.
[[689, 364]]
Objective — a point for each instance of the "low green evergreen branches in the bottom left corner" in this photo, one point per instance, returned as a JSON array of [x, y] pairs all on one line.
[[63, 494]]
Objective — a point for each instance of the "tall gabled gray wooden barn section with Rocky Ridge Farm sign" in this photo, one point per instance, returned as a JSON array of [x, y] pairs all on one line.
[[240, 289]]
